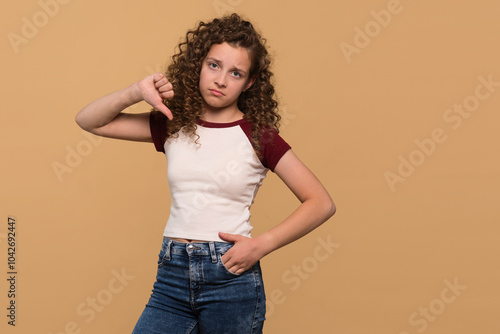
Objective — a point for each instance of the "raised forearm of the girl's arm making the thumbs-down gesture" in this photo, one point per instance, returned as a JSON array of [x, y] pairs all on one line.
[[103, 110]]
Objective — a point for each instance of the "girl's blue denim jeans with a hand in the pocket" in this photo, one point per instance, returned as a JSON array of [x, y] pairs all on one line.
[[195, 293]]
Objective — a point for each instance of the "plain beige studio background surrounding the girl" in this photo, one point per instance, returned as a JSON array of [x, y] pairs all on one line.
[[351, 116]]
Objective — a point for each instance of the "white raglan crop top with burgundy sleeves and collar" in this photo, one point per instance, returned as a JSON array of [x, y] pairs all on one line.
[[213, 182]]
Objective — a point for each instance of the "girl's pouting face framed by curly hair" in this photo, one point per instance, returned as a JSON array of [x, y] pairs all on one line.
[[224, 75]]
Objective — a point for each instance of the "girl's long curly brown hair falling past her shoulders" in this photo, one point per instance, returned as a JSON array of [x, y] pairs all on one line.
[[257, 103]]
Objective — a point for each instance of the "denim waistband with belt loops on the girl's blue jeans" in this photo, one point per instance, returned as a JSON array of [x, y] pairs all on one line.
[[211, 248]]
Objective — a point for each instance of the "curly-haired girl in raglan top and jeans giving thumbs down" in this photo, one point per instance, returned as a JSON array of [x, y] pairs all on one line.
[[216, 120]]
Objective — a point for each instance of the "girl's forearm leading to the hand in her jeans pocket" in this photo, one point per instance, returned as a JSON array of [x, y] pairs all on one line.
[[308, 216]]
